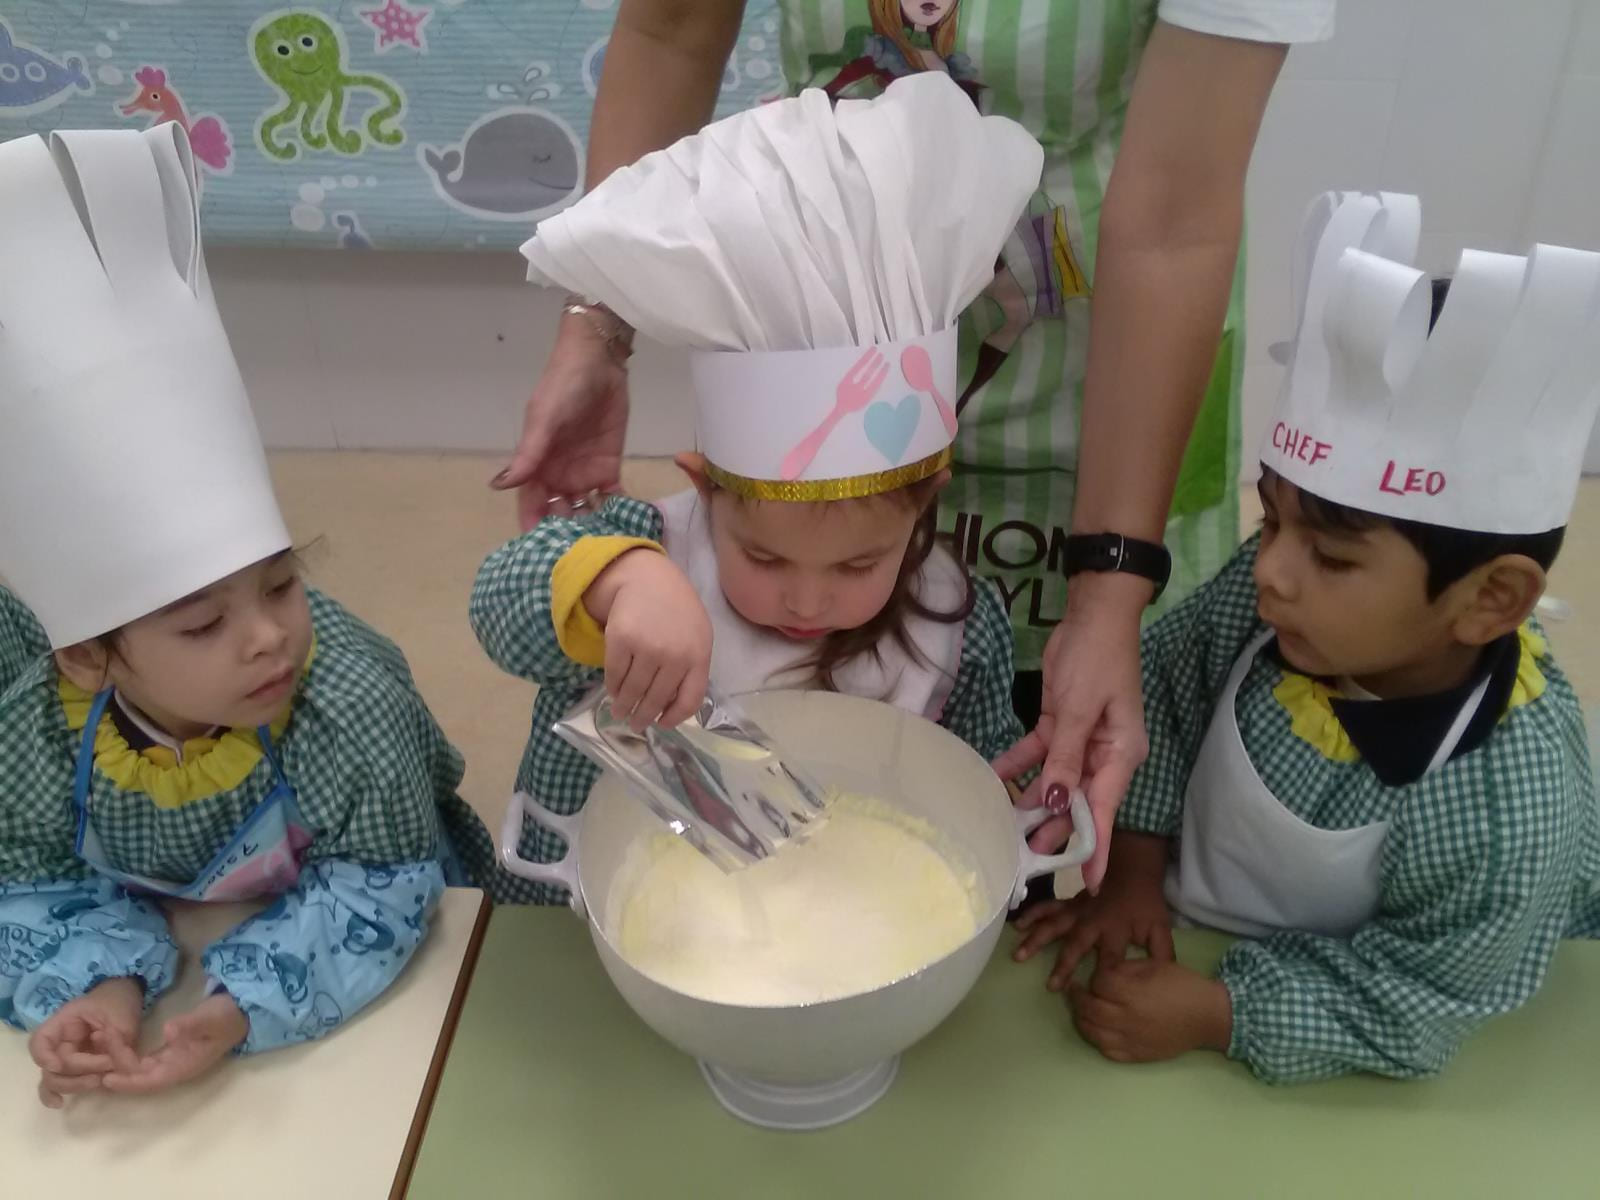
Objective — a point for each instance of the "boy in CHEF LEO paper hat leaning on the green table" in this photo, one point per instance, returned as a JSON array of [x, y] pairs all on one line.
[[1362, 756]]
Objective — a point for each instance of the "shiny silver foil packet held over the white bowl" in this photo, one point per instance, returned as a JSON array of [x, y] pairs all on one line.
[[718, 780]]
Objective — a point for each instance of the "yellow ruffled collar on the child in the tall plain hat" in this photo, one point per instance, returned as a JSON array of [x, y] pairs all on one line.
[[210, 766]]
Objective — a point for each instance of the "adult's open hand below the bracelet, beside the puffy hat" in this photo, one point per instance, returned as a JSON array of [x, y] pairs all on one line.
[[574, 430]]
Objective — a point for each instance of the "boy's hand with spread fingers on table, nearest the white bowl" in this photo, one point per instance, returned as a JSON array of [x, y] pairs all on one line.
[[1130, 911]]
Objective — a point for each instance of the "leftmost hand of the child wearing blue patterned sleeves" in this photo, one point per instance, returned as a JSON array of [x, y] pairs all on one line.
[[87, 1039]]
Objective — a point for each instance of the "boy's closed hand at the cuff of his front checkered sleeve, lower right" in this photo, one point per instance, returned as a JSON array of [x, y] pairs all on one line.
[[1148, 1010]]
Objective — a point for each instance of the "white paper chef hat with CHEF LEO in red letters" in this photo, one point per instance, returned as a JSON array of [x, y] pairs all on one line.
[[1481, 425]]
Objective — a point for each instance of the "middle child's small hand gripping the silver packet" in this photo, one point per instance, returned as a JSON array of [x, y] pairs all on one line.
[[657, 639]]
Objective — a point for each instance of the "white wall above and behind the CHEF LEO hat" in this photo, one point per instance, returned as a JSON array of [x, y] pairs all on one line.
[[1489, 110]]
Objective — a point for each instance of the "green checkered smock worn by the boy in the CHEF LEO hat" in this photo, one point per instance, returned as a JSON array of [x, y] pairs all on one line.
[[1489, 860]]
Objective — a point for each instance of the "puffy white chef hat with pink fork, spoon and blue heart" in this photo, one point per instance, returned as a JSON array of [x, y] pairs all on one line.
[[815, 258]]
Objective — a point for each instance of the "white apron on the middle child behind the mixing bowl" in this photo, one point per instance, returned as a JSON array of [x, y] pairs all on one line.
[[746, 658]]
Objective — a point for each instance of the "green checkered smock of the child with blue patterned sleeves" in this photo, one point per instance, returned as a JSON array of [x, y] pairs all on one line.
[[374, 774]]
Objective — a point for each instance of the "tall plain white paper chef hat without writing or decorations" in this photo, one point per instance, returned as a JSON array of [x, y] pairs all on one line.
[[130, 468]]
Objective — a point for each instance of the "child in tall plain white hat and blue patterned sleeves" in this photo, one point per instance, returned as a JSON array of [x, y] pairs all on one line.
[[206, 727]]
